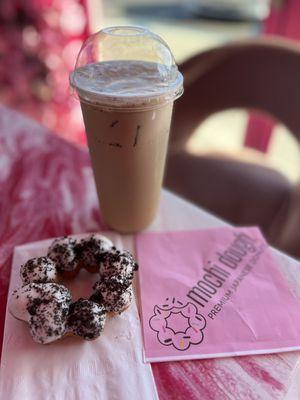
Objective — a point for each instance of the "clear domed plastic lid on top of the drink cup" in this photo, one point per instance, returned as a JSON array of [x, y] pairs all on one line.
[[127, 67]]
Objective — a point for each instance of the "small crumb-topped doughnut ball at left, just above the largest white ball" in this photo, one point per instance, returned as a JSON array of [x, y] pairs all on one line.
[[38, 270]]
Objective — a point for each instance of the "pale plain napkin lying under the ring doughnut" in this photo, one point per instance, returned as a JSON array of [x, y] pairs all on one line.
[[110, 367]]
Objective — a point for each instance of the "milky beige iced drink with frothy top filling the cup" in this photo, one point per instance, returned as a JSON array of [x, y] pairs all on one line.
[[127, 111]]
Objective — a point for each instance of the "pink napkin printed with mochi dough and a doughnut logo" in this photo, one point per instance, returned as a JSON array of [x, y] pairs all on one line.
[[213, 293]]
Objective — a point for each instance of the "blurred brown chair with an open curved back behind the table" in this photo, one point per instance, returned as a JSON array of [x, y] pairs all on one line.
[[260, 74]]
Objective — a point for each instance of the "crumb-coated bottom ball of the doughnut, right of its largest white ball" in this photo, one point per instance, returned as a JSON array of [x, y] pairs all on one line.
[[86, 319]]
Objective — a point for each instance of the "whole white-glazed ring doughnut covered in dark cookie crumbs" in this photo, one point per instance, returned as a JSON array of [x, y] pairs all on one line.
[[47, 306]]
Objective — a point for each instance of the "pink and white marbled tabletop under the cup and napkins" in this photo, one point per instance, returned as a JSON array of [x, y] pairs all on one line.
[[47, 189]]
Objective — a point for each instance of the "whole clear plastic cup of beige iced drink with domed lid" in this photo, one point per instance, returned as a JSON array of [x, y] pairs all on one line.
[[127, 80]]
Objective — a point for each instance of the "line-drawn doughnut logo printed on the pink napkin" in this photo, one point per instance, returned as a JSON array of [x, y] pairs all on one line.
[[177, 324]]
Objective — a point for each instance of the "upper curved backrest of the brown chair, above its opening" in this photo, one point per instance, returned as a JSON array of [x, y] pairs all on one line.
[[261, 74]]
